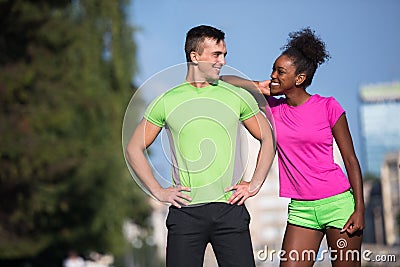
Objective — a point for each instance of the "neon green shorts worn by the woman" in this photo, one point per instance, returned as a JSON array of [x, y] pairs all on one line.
[[322, 213]]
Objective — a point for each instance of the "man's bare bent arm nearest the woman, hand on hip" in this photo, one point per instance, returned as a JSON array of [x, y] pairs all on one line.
[[259, 127]]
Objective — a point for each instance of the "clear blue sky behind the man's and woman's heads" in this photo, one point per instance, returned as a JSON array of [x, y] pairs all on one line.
[[362, 36]]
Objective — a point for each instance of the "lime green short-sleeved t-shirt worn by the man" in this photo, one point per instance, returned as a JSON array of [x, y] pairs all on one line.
[[202, 125]]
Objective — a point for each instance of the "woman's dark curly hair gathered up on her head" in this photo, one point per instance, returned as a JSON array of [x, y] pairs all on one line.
[[307, 51]]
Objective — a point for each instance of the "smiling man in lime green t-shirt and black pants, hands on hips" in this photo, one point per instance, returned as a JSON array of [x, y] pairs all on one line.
[[202, 117]]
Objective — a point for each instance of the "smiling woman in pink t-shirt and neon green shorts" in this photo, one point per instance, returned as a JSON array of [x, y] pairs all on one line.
[[323, 199]]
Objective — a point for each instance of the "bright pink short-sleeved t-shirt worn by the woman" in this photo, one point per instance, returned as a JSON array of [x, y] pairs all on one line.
[[307, 170]]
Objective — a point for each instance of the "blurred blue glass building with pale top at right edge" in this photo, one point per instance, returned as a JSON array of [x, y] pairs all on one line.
[[380, 127]]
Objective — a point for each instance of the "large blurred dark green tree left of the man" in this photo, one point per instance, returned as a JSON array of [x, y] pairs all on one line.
[[65, 78]]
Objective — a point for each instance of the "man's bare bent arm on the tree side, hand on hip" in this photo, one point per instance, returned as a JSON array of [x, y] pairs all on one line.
[[143, 136]]
